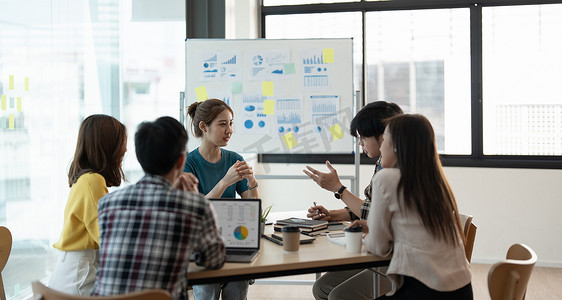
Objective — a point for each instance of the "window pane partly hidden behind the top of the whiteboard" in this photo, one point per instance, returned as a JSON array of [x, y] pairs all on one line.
[[324, 25]]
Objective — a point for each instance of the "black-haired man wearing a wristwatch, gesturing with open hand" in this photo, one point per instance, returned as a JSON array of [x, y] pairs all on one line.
[[368, 127]]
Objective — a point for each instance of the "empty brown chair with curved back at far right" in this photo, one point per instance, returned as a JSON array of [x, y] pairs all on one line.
[[507, 280]]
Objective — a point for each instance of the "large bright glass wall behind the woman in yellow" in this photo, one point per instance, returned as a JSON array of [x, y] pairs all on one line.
[[61, 61]]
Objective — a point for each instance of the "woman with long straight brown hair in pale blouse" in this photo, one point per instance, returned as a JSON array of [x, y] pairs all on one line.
[[415, 216]]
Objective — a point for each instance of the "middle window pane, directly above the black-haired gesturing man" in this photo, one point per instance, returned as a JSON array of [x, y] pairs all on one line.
[[421, 60]]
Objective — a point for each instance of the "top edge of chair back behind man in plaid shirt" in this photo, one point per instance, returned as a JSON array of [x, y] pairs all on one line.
[[41, 292]]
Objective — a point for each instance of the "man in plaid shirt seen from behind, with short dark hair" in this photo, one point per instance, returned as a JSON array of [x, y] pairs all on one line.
[[148, 230]]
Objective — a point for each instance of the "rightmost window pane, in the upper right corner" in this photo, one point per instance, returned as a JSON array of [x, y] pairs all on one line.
[[522, 71]]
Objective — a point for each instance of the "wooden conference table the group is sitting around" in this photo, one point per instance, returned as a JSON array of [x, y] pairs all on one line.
[[319, 256]]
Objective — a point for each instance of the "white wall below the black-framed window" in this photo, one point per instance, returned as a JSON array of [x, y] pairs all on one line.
[[509, 205]]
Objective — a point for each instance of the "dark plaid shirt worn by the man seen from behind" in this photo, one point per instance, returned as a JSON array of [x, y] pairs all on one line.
[[147, 233]]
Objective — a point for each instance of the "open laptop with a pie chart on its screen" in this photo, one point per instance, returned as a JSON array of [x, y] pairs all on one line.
[[239, 222]]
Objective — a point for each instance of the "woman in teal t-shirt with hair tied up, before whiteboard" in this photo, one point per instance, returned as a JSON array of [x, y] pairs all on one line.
[[221, 174]]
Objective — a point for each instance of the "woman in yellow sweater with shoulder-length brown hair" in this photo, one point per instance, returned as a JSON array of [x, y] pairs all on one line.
[[101, 145]]
